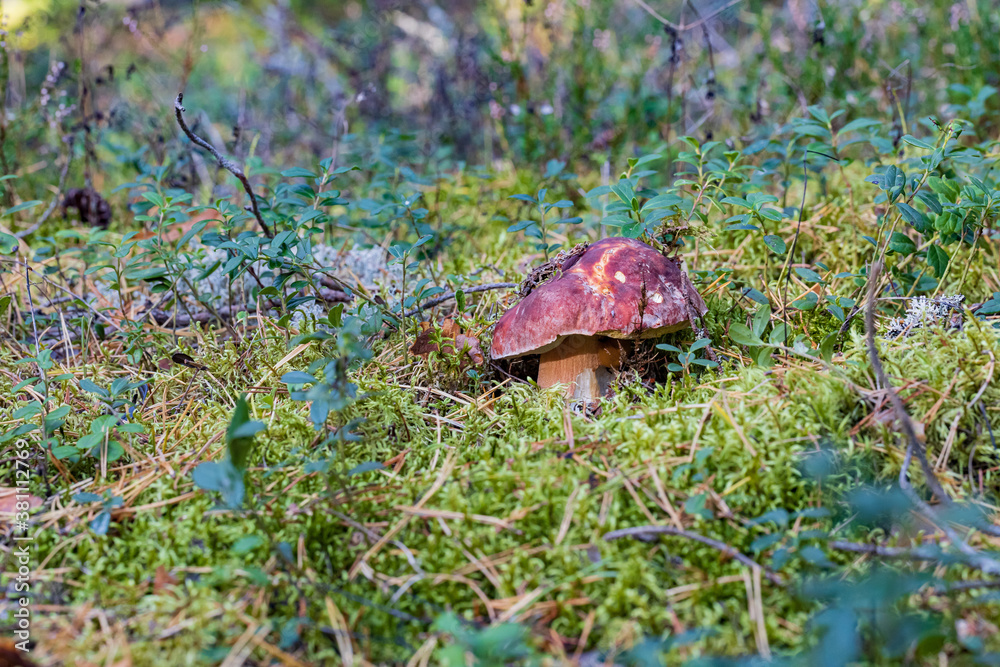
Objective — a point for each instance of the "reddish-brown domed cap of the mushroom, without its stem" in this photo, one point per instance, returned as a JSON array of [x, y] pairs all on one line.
[[619, 287]]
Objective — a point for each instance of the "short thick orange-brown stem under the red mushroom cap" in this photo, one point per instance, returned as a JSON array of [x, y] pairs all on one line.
[[582, 363]]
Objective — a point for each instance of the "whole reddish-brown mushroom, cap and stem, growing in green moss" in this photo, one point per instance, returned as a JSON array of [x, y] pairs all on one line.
[[617, 289]]
